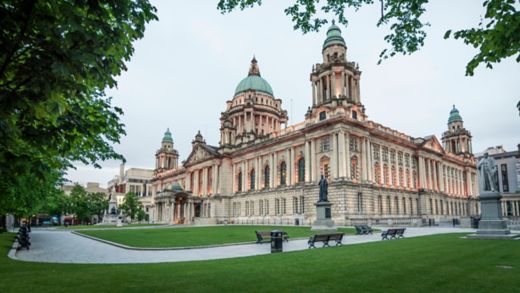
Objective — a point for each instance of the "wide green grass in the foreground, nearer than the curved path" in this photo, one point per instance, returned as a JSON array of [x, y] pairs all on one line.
[[441, 263]]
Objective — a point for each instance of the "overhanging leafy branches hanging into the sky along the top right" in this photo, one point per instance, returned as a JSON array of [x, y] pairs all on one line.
[[497, 36]]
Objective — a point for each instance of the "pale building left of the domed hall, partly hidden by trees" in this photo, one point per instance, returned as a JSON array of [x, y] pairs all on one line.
[[134, 180]]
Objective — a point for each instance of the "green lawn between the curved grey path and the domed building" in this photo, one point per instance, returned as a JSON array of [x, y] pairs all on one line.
[[195, 236]]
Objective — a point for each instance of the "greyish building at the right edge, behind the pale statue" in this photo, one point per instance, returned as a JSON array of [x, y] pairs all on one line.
[[508, 164]]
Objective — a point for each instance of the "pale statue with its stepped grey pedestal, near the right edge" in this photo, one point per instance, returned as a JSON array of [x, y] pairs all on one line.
[[492, 225]]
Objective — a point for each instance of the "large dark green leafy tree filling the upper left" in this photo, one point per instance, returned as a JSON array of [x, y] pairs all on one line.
[[57, 59]]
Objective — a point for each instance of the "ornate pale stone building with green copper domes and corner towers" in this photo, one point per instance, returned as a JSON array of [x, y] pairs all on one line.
[[265, 171]]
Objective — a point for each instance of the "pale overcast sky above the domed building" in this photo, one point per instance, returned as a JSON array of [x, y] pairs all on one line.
[[190, 61]]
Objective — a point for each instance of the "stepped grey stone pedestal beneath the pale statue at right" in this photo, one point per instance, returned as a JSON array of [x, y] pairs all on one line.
[[491, 225]]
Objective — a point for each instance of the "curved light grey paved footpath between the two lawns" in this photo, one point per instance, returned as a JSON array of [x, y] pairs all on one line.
[[56, 246]]
